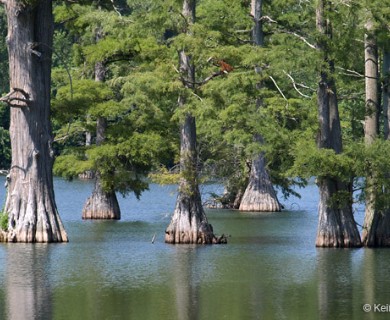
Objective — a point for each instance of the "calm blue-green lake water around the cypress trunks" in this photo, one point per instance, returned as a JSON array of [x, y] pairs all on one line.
[[270, 269]]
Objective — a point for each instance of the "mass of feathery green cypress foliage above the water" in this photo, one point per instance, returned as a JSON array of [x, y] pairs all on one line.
[[270, 92]]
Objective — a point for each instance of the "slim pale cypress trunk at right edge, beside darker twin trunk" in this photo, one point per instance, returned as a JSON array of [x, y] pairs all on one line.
[[376, 227]]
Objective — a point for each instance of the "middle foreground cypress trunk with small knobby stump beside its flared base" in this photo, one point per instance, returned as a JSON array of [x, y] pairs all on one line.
[[189, 222]]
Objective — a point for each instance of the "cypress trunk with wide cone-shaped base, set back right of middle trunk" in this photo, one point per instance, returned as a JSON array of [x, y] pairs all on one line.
[[259, 194]]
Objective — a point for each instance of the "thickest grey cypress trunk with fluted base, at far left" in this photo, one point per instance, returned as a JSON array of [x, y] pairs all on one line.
[[30, 204]]
